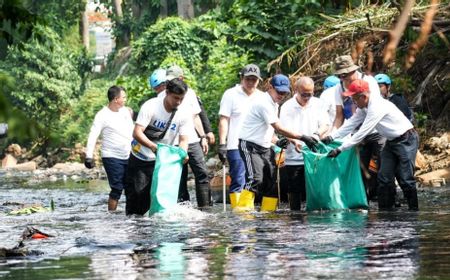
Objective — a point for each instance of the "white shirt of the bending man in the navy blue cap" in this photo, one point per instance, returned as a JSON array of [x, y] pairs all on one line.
[[257, 125]]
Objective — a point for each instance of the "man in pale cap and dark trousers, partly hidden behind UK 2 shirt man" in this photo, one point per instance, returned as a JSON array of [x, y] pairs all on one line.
[[198, 147]]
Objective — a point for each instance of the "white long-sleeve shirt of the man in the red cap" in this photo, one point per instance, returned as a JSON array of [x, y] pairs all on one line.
[[380, 114]]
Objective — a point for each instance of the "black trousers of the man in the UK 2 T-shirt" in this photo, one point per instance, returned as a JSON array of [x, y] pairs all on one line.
[[139, 182]]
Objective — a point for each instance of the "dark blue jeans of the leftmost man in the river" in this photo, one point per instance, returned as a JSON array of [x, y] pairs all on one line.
[[116, 171]]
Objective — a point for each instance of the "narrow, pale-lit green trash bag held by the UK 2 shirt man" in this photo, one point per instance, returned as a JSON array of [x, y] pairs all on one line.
[[166, 178]]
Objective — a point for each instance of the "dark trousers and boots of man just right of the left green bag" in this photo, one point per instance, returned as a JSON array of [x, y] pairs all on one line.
[[198, 167]]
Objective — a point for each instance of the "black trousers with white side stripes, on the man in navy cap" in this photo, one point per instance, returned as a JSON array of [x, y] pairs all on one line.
[[259, 169]]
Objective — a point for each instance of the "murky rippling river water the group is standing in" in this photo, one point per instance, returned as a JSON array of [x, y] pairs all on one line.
[[189, 244]]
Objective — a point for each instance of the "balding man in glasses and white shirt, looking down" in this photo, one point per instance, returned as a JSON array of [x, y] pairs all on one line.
[[303, 114]]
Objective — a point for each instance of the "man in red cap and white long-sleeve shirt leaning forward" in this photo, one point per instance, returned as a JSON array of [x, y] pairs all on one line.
[[398, 155]]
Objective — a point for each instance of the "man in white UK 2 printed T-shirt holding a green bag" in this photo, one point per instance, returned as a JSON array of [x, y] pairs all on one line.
[[160, 120]]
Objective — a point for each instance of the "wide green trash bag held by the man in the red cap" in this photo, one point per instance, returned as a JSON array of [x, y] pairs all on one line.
[[333, 183]]
